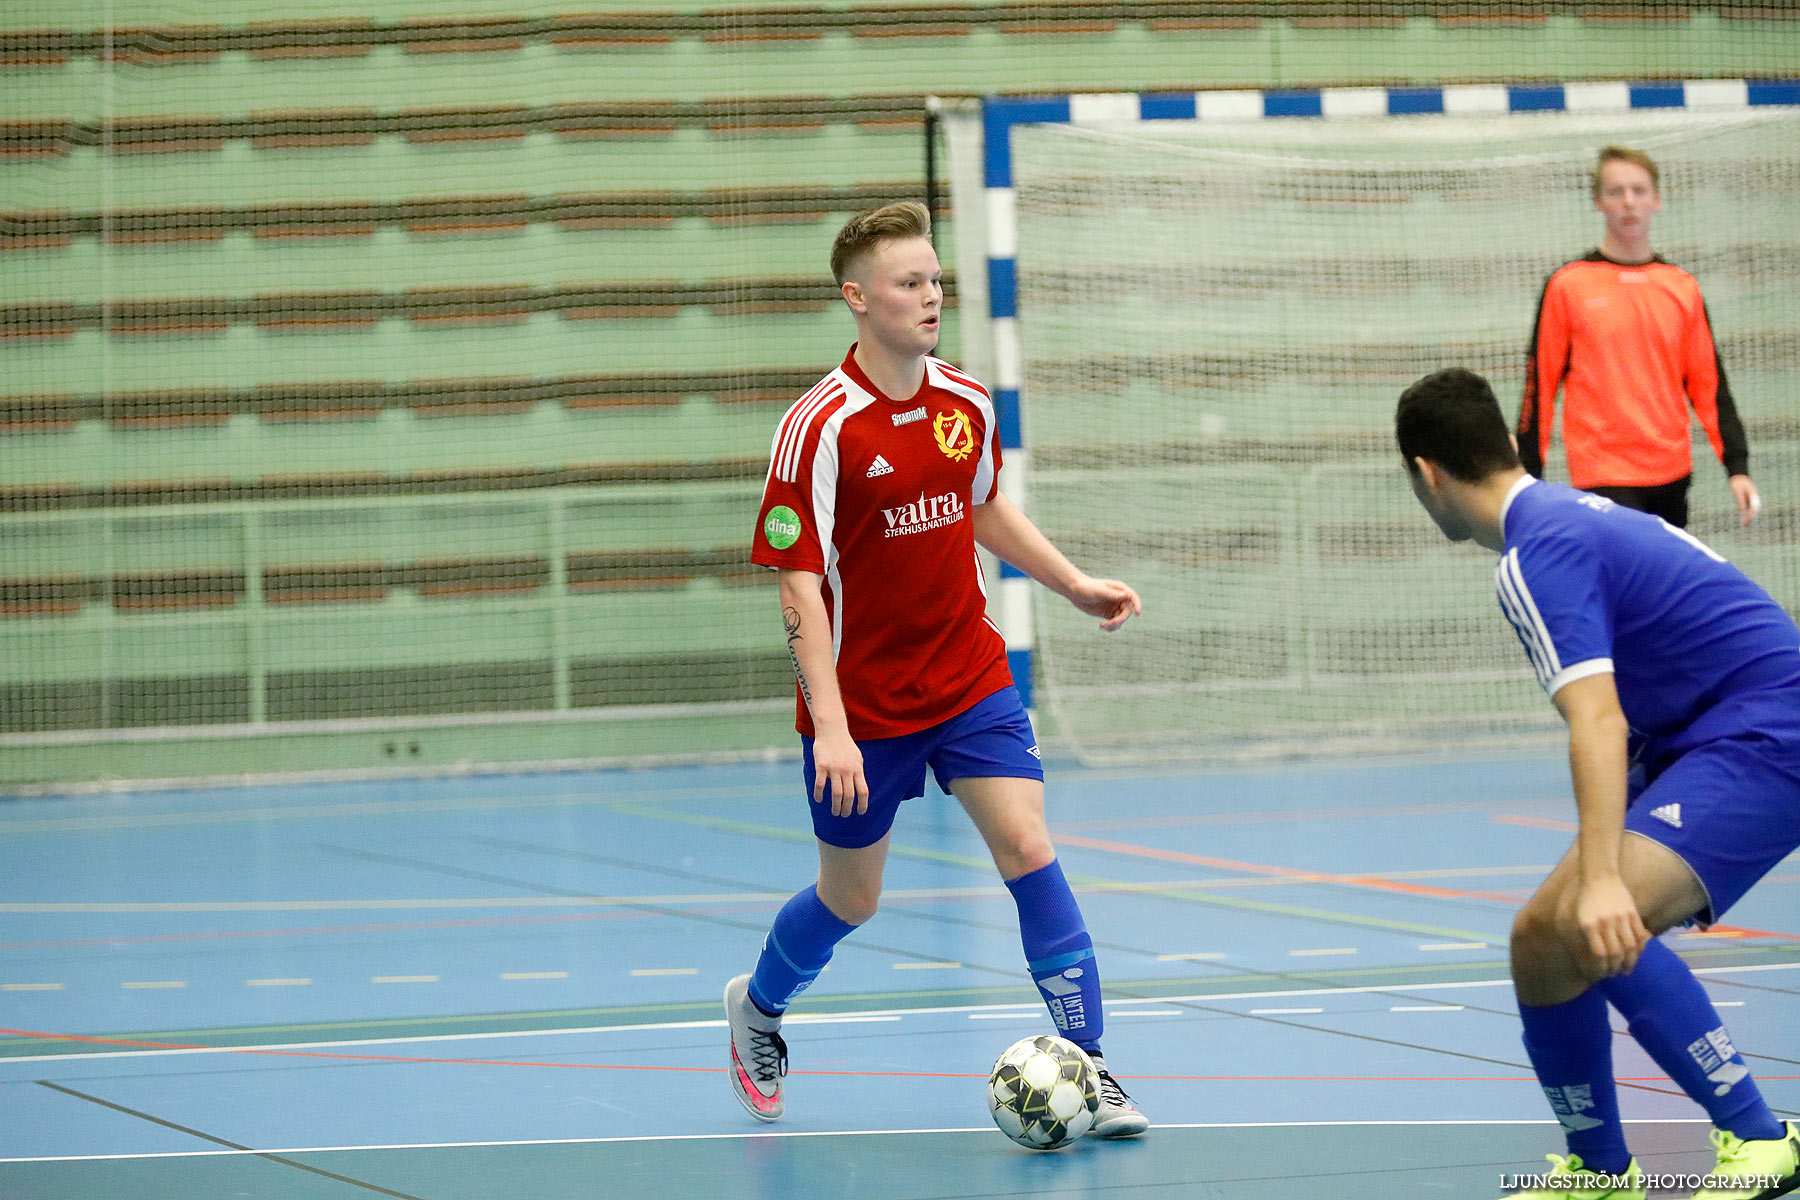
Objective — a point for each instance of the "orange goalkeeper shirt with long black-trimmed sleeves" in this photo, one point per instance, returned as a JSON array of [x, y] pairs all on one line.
[[1630, 348]]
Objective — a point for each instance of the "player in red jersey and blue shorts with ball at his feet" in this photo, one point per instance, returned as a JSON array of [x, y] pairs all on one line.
[[883, 481]]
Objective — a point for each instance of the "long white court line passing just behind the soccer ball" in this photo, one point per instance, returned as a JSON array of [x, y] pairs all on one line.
[[721, 1025]]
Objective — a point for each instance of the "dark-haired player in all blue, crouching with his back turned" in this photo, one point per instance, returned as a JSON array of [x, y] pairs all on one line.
[[1680, 685]]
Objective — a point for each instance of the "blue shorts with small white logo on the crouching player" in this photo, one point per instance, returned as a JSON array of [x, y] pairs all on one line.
[[1725, 794]]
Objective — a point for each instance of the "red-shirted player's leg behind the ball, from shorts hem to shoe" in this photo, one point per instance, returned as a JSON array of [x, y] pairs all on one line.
[[1011, 818]]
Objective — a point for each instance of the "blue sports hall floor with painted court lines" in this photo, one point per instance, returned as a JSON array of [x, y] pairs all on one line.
[[508, 987]]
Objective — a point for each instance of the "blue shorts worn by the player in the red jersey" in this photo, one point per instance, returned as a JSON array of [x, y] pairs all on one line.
[[984, 742]]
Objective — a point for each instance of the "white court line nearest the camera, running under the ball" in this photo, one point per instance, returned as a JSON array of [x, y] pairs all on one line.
[[985, 1131]]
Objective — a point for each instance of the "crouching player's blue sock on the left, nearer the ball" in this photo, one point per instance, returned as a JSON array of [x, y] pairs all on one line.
[[1572, 1052]]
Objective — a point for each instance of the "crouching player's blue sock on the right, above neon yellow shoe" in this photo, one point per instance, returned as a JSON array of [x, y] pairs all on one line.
[[1677, 1025]]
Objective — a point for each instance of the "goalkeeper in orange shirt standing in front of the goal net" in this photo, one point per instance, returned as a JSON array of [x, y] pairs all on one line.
[[1628, 339]]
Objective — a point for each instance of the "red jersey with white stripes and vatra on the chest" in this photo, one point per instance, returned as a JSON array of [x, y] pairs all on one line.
[[877, 496]]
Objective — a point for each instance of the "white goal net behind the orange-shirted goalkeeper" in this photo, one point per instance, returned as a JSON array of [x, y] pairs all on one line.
[[1218, 321]]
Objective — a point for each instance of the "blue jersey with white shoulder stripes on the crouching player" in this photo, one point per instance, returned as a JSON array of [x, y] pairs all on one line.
[[1594, 587]]
